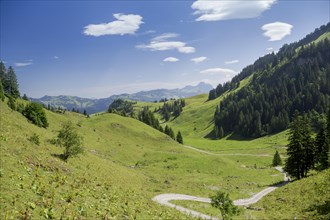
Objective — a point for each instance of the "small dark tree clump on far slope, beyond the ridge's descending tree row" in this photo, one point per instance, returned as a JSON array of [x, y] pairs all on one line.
[[172, 109]]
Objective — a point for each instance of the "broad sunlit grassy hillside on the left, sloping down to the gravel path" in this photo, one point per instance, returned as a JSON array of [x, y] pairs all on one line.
[[125, 164]]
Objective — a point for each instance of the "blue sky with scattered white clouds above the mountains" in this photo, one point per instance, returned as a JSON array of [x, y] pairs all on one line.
[[100, 48]]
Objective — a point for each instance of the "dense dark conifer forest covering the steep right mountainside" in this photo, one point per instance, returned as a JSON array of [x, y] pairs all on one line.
[[282, 83]]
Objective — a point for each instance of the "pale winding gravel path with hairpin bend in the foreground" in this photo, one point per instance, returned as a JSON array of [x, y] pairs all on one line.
[[165, 199]]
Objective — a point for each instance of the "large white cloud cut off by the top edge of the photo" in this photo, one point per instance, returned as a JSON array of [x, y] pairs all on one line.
[[209, 10]]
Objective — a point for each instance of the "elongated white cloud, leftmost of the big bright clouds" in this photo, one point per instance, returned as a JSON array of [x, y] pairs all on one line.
[[125, 24]]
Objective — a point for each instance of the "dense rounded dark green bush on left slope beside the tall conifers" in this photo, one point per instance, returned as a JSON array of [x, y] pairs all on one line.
[[36, 114]]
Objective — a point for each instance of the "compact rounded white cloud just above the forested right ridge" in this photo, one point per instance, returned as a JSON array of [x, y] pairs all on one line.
[[277, 30]]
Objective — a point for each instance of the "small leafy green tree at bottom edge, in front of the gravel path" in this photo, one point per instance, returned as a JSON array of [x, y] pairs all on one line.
[[226, 206]]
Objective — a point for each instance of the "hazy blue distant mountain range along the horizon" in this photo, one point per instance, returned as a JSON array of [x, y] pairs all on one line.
[[99, 105]]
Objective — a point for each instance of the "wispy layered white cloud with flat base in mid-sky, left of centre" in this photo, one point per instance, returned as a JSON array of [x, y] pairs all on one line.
[[161, 43]]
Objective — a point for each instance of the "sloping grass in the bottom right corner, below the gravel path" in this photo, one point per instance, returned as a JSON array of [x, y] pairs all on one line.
[[304, 199]]
